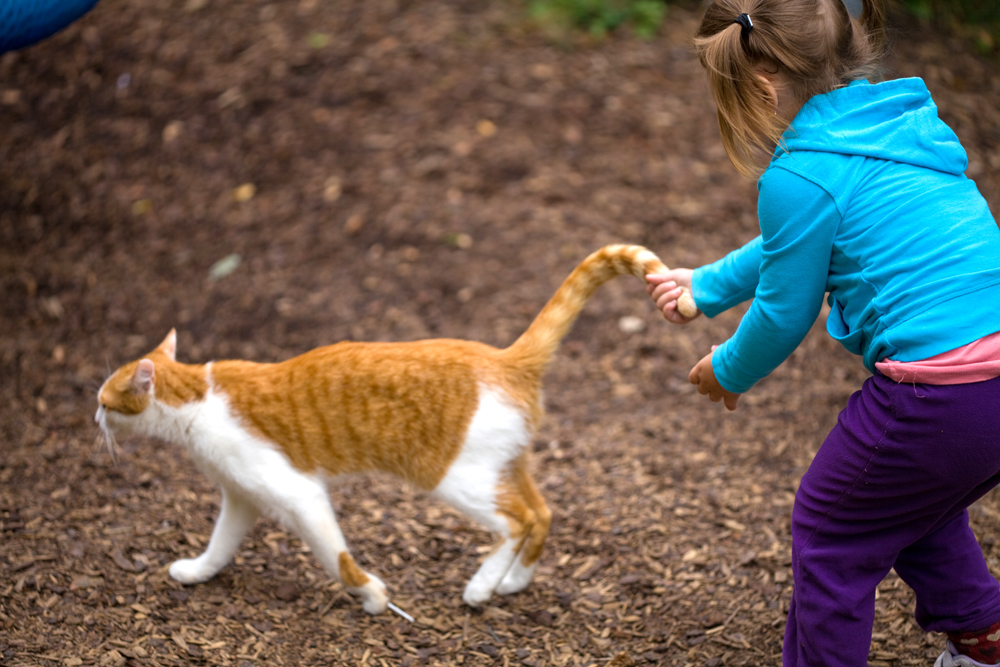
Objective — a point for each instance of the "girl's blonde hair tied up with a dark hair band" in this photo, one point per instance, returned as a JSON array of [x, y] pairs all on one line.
[[814, 45]]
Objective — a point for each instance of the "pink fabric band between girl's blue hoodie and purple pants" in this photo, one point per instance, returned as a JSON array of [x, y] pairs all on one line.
[[975, 362]]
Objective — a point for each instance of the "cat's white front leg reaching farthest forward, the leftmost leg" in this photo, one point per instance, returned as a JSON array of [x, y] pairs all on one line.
[[235, 520]]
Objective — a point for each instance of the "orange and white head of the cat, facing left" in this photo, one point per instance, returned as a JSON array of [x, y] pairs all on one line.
[[128, 393]]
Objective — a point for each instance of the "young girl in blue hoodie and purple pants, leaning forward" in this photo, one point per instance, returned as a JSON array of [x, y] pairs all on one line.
[[864, 198]]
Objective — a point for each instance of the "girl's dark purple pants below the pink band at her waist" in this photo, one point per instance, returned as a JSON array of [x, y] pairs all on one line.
[[889, 488]]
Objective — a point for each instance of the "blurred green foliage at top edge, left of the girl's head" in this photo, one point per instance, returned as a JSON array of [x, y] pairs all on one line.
[[598, 17]]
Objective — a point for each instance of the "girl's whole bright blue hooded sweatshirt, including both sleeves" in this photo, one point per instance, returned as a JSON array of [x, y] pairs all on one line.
[[867, 201]]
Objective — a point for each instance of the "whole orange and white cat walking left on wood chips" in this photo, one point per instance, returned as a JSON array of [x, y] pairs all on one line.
[[451, 417]]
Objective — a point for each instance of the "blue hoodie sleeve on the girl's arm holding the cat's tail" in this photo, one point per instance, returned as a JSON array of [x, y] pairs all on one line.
[[719, 286]]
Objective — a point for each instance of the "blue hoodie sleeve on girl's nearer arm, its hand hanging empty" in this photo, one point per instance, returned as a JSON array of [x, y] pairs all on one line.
[[798, 222]]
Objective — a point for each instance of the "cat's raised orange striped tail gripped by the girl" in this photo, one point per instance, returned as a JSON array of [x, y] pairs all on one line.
[[537, 345]]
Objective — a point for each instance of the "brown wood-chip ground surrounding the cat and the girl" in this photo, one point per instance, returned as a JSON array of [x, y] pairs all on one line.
[[417, 169]]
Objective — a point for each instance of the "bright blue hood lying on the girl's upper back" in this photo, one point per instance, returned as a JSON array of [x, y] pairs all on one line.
[[894, 120]]
